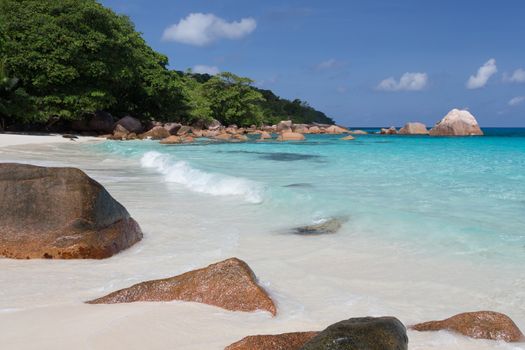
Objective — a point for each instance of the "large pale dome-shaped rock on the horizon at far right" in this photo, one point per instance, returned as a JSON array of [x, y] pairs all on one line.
[[457, 123]]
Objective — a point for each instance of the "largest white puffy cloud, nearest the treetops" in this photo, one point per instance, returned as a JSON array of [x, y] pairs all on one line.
[[201, 29]]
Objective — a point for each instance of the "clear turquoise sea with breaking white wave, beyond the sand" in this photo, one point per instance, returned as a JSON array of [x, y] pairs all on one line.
[[461, 197]]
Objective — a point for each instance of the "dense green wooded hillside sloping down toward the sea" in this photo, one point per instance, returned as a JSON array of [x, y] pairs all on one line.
[[64, 59]]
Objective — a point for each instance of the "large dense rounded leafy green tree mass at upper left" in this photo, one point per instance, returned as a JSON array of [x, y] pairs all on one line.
[[75, 57]]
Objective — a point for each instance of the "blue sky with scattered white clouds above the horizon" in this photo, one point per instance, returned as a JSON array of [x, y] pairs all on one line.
[[363, 63]]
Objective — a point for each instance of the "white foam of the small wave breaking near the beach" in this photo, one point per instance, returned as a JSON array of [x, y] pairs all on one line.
[[200, 181]]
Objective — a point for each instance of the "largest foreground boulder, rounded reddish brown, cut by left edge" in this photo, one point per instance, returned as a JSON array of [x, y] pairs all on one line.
[[60, 213]]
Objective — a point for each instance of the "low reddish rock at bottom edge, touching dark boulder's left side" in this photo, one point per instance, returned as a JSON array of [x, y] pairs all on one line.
[[285, 341]]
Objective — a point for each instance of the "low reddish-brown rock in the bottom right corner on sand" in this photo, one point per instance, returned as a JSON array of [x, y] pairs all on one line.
[[480, 325]]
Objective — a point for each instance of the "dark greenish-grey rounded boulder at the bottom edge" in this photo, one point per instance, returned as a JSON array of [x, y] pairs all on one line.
[[364, 333]]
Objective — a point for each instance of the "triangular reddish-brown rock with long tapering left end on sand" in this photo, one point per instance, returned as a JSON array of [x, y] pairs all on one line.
[[229, 284]]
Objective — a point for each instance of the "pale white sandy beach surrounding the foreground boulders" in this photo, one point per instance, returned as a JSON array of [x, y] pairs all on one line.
[[315, 282]]
